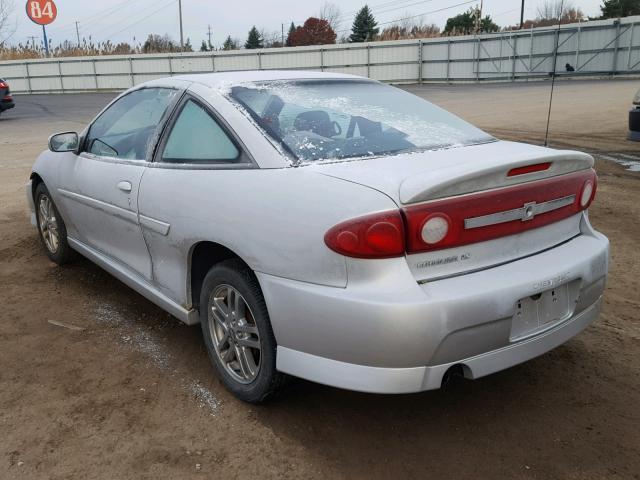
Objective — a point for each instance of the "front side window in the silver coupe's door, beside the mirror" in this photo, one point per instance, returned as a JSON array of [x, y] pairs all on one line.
[[126, 128]]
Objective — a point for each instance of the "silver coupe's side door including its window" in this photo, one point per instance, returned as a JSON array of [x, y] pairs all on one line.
[[99, 187]]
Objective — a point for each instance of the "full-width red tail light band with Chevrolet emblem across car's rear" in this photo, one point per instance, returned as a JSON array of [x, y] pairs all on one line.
[[464, 219]]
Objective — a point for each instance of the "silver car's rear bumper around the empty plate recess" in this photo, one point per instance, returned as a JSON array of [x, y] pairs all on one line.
[[385, 333]]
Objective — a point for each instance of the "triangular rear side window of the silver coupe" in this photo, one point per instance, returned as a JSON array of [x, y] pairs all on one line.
[[196, 137]]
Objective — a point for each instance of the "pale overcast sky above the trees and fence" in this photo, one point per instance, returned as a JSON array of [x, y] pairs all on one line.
[[119, 20]]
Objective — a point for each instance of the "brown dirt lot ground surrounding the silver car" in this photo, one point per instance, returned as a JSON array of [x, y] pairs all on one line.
[[96, 382]]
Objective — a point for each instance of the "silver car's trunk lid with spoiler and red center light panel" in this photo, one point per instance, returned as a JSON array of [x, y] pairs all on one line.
[[493, 187]]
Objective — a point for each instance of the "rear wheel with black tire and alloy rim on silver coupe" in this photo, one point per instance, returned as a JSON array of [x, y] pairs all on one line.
[[237, 332]]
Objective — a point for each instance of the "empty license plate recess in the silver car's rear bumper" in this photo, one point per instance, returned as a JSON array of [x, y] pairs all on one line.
[[541, 311]]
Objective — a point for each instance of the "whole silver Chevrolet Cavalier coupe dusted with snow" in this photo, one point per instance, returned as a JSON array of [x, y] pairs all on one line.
[[328, 227]]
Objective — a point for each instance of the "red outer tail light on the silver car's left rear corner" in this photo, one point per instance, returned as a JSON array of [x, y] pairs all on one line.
[[374, 236]]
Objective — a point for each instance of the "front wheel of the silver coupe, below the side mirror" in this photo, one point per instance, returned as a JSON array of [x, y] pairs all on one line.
[[51, 228]]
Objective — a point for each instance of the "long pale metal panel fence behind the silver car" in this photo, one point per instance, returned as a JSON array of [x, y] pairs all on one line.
[[605, 47]]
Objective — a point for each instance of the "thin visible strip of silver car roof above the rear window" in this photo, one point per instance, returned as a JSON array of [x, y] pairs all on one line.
[[237, 77]]
